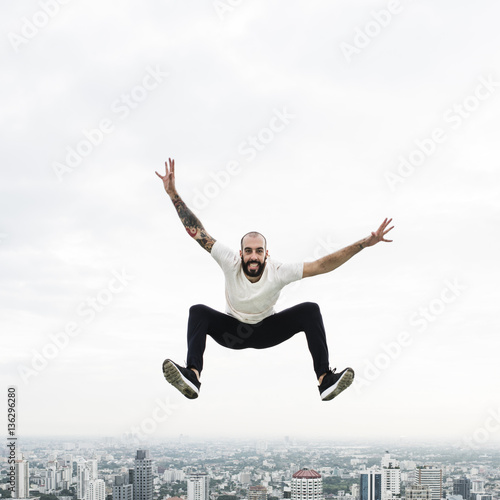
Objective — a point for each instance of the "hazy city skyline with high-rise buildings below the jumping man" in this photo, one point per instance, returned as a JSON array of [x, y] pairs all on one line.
[[242, 470]]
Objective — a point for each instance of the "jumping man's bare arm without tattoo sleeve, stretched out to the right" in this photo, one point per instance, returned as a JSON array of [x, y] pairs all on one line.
[[336, 259]]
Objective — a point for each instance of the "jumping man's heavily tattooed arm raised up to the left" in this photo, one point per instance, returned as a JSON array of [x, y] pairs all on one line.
[[192, 224]]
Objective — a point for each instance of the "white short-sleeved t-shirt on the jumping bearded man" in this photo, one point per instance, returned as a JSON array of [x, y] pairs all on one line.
[[252, 302]]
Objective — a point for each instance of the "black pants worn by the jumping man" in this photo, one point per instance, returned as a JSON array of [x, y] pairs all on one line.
[[232, 333]]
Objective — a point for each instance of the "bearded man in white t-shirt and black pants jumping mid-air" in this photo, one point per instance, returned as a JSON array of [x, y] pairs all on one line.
[[253, 284]]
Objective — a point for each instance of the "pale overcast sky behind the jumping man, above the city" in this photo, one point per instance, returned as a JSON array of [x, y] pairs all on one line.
[[307, 121]]
